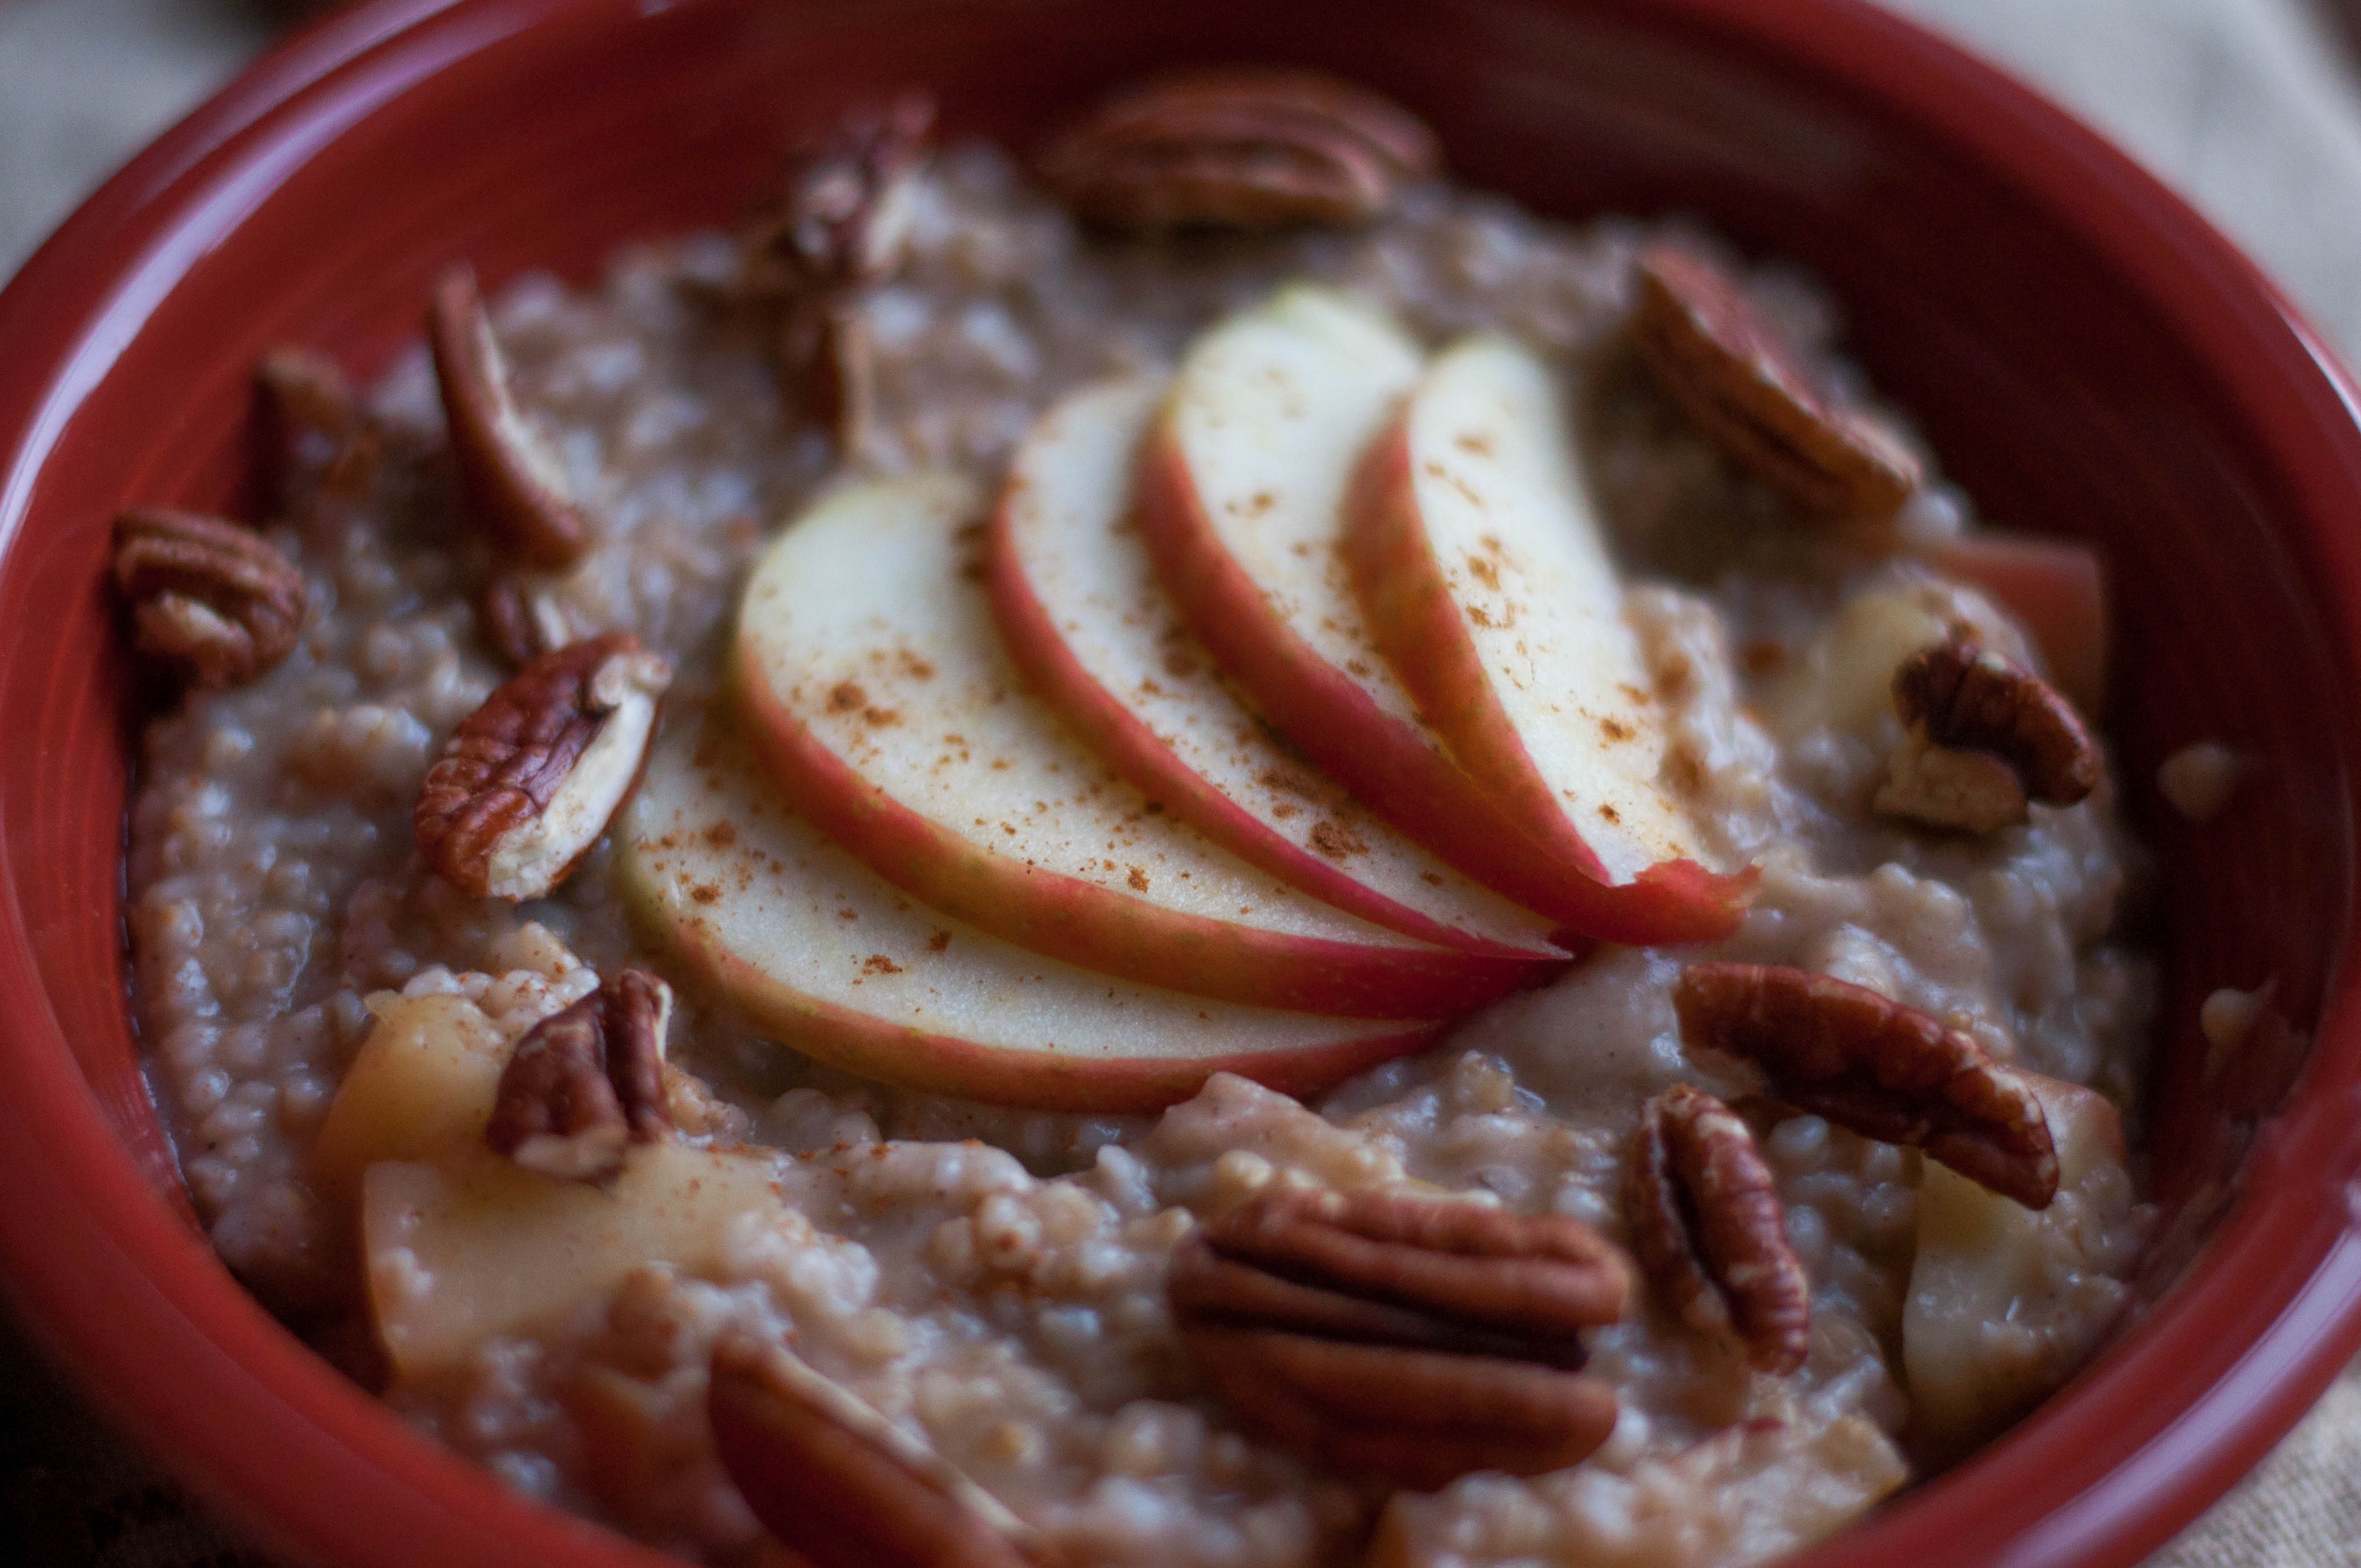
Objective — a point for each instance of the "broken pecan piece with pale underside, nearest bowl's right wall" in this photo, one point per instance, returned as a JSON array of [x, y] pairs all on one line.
[[1987, 738]]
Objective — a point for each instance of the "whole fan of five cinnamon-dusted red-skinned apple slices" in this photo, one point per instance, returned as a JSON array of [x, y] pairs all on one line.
[[1267, 721]]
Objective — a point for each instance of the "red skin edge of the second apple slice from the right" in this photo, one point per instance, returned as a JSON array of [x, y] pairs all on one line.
[[1385, 762]]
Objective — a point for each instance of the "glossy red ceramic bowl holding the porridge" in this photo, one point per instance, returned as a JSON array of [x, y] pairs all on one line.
[[2086, 355]]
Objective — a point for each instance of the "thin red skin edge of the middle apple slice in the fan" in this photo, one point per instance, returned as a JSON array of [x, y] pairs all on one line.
[[1137, 754]]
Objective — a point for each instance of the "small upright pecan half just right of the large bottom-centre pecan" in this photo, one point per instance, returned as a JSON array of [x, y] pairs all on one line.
[[1711, 1231]]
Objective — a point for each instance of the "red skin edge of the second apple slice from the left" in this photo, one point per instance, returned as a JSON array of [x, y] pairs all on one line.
[[1092, 927]]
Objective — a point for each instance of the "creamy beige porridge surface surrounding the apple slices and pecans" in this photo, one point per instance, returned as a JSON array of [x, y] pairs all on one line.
[[993, 1279]]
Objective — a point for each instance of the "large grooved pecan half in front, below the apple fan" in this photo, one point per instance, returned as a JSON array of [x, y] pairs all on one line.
[[1404, 1338]]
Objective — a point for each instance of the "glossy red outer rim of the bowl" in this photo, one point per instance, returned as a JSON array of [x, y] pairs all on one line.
[[202, 1378]]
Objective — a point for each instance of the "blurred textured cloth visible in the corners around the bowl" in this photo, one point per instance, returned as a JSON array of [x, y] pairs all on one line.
[[2251, 107]]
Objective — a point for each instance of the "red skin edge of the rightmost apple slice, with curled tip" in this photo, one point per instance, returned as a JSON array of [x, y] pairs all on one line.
[[1418, 629]]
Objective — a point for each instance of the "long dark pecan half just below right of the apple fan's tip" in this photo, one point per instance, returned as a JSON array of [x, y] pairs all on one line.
[[1885, 1071]]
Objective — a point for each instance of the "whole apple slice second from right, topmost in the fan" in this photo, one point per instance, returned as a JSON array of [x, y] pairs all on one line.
[[1243, 507]]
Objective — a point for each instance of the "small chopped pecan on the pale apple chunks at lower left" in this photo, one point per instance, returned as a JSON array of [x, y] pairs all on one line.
[[587, 1083]]
